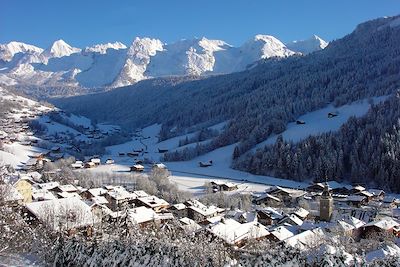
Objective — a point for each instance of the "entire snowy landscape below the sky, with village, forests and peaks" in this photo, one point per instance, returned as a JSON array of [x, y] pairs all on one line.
[[199, 153]]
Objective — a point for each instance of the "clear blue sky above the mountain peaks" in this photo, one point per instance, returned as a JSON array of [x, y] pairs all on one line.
[[87, 22]]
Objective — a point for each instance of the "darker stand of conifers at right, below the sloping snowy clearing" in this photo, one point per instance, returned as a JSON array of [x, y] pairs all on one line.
[[365, 150]]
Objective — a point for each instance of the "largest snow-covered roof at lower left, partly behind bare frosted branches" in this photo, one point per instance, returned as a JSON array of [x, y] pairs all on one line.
[[63, 213]]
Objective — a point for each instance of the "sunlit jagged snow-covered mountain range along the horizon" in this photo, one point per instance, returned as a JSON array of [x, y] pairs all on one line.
[[115, 65]]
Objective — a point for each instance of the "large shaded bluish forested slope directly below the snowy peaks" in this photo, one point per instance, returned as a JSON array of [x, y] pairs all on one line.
[[260, 101]]
